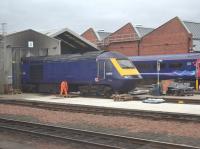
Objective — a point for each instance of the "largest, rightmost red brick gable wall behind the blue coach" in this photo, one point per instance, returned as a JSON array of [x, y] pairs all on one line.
[[170, 38]]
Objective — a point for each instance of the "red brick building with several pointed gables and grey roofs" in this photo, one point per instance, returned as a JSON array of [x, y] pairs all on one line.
[[173, 37]]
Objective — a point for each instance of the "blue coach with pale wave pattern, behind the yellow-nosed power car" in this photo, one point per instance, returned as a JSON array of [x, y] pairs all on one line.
[[177, 66]]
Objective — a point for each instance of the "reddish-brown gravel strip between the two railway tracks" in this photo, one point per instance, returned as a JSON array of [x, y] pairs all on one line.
[[172, 131]]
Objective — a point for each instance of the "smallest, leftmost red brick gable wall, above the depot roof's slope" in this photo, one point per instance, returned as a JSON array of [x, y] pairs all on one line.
[[90, 35]]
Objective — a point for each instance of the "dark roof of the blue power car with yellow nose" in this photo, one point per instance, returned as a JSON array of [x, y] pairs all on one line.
[[88, 55]]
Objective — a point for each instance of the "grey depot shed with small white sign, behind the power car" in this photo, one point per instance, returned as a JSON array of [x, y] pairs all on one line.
[[15, 46]]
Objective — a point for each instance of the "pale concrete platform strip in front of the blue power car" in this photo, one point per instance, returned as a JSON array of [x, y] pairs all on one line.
[[165, 107]]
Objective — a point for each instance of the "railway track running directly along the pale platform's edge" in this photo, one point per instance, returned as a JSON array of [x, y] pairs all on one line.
[[104, 110]]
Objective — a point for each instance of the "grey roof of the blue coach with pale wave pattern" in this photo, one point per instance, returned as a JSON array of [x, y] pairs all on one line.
[[166, 57]]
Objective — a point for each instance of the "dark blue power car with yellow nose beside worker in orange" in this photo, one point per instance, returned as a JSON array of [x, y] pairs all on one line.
[[91, 73]]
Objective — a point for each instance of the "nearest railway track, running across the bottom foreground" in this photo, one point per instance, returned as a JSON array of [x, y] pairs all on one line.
[[94, 139]]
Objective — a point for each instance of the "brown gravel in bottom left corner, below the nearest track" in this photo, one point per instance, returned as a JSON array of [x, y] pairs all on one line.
[[12, 140]]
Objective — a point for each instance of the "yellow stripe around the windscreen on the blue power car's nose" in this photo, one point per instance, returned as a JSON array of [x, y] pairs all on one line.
[[124, 72]]
